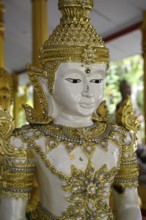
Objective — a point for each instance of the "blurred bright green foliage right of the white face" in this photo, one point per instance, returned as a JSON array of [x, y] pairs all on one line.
[[130, 69]]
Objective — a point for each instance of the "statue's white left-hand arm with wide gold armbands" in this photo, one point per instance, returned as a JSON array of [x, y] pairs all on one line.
[[17, 180]]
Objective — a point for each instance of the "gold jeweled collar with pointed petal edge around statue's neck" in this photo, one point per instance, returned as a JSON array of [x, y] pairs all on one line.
[[86, 137]]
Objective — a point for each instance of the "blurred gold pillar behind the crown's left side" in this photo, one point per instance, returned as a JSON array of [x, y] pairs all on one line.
[[40, 34]]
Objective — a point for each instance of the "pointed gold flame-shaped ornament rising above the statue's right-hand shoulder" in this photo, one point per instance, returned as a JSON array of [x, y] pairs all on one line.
[[125, 116]]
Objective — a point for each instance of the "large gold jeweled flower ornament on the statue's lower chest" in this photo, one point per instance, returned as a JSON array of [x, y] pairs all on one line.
[[89, 192]]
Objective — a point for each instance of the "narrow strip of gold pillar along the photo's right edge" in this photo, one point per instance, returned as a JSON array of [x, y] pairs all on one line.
[[144, 57]]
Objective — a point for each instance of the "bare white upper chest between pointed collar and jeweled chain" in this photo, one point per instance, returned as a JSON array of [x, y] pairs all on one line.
[[62, 160]]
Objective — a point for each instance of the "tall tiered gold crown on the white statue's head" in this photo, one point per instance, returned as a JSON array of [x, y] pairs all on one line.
[[73, 40]]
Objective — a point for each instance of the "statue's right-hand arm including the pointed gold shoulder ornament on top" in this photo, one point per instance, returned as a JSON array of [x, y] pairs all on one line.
[[125, 196]]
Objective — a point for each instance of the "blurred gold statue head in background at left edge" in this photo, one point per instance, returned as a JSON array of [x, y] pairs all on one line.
[[6, 89]]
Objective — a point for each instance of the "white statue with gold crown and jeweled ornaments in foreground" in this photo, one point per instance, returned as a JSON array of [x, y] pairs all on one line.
[[79, 159]]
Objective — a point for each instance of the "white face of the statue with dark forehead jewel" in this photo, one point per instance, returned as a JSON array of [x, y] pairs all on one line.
[[78, 89]]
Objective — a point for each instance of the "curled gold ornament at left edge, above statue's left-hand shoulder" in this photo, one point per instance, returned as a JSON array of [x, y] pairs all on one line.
[[6, 128]]
